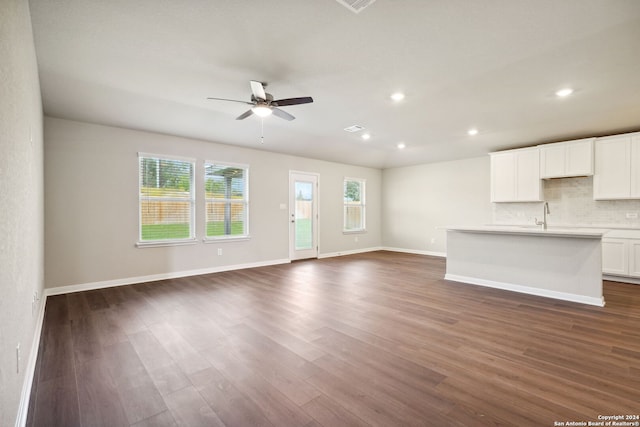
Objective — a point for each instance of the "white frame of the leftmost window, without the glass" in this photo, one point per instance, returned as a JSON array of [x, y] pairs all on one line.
[[192, 201]]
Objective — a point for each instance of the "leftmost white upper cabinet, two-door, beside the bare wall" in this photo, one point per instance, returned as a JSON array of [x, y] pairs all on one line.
[[515, 176]]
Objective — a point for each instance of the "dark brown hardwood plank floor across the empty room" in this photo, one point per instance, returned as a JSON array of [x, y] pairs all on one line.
[[374, 339]]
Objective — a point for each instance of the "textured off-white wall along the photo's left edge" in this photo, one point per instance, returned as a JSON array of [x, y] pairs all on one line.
[[21, 202]]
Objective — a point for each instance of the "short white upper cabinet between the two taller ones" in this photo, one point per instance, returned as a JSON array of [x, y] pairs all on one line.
[[566, 159]]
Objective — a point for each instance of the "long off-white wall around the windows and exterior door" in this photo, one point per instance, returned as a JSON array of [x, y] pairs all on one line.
[[91, 199]]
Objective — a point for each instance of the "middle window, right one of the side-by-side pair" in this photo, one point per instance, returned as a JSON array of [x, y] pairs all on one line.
[[226, 200]]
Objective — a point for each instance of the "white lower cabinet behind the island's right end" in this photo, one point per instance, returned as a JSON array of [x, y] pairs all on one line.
[[621, 257]]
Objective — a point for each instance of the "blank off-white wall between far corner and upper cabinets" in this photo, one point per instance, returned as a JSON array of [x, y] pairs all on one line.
[[417, 200]]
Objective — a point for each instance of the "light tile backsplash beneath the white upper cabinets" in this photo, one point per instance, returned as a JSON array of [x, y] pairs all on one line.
[[571, 204]]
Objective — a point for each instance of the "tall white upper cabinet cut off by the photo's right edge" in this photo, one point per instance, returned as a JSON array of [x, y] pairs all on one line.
[[617, 167]]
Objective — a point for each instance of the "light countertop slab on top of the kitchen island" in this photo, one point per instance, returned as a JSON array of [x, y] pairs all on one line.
[[588, 233]]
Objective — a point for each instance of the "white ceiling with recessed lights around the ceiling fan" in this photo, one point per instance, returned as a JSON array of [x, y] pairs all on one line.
[[492, 64]]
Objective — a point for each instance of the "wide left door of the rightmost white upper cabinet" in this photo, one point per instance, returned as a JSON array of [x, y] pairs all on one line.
[[612, 178]]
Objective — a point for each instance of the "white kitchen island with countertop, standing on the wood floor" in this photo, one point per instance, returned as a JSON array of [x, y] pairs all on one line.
[[564, 264]]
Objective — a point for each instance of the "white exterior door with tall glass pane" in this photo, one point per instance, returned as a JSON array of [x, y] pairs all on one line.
[[303, 215]]
